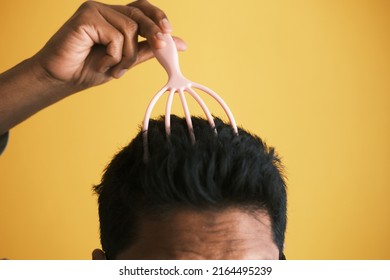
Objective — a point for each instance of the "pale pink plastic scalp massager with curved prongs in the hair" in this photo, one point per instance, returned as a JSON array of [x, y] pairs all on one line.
[[168, 58]]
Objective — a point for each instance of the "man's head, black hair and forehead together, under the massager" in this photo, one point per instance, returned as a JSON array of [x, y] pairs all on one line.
[[223, 197]]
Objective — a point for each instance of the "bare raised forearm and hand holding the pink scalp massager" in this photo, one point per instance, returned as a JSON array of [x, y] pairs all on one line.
[[98, 43]]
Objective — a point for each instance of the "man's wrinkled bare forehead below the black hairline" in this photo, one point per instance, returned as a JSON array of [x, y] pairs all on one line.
[[188, 234]]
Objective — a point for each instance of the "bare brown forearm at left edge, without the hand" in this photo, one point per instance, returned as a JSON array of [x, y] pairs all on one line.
[[26, 89]]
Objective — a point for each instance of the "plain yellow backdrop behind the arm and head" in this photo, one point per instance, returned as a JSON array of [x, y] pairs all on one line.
[[312, 78]]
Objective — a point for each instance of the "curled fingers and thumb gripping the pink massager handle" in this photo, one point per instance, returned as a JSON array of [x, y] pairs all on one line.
[[117, 28]]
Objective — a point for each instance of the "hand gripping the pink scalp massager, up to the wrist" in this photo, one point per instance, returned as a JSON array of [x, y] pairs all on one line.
[[100, 42]]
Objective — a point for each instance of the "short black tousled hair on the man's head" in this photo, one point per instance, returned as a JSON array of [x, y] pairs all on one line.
[[216, 172]]
